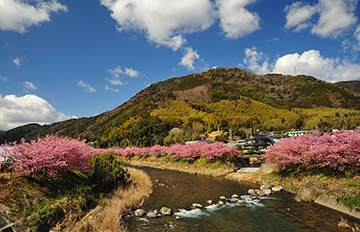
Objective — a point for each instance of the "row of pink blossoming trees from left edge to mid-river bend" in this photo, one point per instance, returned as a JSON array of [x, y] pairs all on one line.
[[52, 155]]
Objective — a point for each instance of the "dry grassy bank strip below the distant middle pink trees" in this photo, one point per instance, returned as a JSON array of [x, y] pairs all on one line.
[[201, 166]]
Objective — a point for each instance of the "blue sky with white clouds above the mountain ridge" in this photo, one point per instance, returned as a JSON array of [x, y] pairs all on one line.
[[62, 59]]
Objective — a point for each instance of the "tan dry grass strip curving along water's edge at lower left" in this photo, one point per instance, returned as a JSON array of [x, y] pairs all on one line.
[[108, 217]]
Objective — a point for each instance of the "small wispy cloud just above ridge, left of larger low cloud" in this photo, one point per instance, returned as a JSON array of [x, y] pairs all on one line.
[[252, 59]]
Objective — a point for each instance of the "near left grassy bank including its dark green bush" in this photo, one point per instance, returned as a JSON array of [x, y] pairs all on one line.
[[73, 201]]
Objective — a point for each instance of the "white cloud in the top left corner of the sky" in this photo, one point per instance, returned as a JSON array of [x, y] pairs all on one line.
[[17, 15]]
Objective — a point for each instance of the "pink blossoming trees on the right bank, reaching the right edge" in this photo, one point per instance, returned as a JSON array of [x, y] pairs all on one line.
[[317, 151]]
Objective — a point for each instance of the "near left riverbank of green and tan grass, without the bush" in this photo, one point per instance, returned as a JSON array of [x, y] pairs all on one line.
[[74, 207]]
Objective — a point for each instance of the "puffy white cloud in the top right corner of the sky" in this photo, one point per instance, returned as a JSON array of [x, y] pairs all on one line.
[[335, 17]]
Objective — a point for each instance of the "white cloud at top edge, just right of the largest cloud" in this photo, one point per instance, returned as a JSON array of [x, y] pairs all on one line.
[[235, 20]]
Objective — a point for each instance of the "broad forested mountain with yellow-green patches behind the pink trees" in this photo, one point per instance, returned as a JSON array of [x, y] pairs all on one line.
[[218, 99]]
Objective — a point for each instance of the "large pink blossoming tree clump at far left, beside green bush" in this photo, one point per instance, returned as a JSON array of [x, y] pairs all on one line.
[[49, 155]]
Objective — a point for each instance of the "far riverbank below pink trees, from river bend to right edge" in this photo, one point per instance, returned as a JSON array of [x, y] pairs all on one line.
[[330, 191]]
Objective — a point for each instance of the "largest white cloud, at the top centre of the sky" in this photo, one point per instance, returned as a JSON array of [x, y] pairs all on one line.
[[163, 21]]
